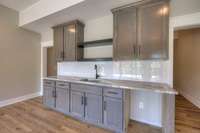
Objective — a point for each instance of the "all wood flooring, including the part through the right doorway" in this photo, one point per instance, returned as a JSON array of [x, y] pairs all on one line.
[[32, 117]]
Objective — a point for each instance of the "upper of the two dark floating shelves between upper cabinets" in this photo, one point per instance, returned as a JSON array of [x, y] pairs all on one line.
[[96, 43]]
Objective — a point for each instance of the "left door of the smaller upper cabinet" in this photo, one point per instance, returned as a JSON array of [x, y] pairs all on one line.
[[59, 43]]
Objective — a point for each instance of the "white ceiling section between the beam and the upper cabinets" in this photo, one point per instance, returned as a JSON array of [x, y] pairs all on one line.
[[87, 10]]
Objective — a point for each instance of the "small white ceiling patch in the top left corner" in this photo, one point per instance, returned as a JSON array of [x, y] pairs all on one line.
[[18, 5]]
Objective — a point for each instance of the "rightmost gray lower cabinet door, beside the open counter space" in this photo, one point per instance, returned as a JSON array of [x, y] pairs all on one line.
[[113, 114]]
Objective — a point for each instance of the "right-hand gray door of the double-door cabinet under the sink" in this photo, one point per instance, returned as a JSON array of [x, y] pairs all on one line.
[[93, 108]]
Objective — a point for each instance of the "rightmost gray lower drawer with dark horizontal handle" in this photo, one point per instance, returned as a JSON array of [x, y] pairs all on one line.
[[111, 92]]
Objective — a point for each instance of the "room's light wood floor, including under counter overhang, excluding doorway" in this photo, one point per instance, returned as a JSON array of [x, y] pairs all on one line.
[[32, 117]]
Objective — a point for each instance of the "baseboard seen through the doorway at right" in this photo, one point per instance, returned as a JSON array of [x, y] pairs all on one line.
[[191, 98]]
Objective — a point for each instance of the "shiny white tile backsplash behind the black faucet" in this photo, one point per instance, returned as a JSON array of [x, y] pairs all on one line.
[[153, 71]]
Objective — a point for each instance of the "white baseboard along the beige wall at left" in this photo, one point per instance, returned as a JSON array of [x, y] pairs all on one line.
[[19, 99]]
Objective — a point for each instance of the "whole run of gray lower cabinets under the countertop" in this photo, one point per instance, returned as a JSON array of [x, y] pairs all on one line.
[[104, 107]]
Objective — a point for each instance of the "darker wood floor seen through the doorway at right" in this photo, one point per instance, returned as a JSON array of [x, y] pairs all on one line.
[[187, 116]]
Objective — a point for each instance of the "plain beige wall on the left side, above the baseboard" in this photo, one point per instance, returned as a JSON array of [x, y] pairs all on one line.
[[20, 58]]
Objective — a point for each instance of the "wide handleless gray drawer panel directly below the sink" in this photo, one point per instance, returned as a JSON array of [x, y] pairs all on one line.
[[87, 88]]
